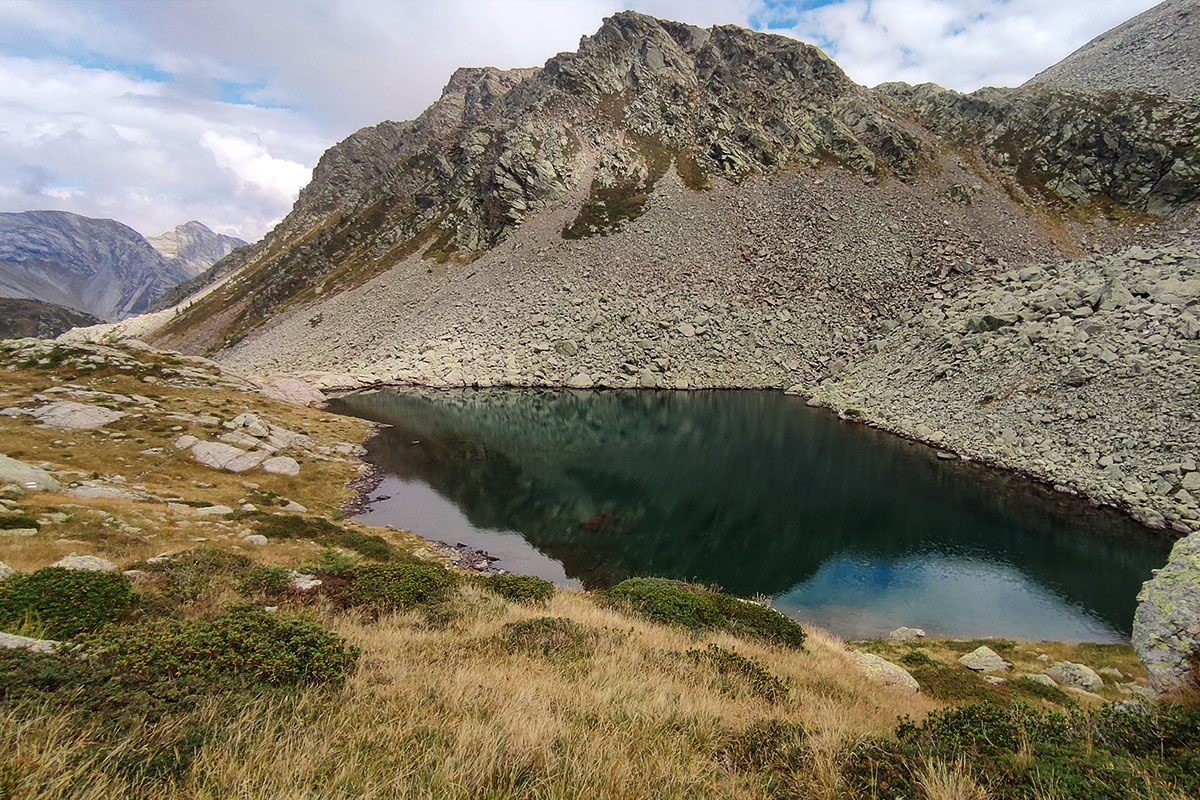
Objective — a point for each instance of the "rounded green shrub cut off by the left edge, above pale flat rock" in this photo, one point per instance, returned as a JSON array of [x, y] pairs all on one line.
[[65, 603]]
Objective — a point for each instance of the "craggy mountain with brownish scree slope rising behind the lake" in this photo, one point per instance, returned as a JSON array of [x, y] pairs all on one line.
[[769, 167]]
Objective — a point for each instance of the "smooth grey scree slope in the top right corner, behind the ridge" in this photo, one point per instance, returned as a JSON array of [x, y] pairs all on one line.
[[1157, 52]]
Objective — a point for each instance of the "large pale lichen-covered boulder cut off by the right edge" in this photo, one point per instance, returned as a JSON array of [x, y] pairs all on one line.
[[1167, 624]]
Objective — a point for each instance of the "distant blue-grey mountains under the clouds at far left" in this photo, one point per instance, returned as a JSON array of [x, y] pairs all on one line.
[[100, 267]]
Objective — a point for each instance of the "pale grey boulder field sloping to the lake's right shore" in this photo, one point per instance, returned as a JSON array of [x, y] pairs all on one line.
[[1084, 374]]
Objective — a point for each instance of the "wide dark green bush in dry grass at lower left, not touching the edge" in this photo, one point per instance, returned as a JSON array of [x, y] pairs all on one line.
[[245, 646]]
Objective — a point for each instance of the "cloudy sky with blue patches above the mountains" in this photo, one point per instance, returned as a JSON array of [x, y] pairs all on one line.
[[155, 113]]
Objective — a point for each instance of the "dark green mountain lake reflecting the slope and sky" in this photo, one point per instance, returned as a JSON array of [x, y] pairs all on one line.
[[842, 526]]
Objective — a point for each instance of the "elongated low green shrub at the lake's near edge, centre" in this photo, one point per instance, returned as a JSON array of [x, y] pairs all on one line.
[[703, 609]]
